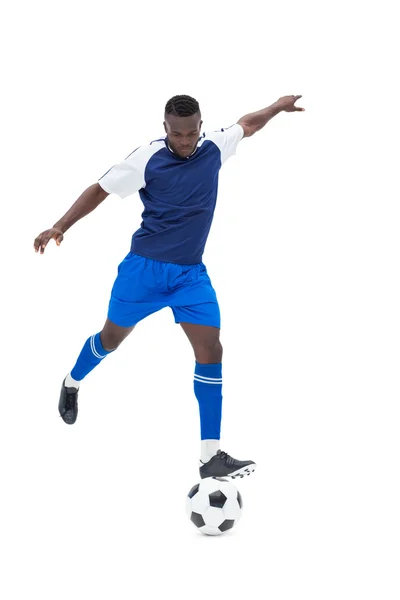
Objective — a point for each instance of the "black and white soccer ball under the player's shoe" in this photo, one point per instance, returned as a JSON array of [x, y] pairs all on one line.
[[214, 505]]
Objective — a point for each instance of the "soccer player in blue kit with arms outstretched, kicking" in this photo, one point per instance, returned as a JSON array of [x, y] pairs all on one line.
[[177, 180]]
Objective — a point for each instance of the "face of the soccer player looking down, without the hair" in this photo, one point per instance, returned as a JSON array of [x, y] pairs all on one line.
[[183, 133]]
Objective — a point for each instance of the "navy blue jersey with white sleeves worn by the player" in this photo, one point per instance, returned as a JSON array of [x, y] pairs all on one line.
[[179, 194]]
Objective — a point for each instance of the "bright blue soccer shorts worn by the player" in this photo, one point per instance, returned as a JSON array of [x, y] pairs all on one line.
[[144, 286]]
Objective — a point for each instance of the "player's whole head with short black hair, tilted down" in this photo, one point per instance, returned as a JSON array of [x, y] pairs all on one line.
[[182, 124]]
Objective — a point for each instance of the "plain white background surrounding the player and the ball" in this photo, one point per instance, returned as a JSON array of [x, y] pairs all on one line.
[[304, 255]]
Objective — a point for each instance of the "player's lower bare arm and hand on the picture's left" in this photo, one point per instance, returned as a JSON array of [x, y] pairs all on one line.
[[86, 203]]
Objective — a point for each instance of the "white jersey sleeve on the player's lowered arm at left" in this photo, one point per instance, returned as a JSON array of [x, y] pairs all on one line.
[[126, 177]]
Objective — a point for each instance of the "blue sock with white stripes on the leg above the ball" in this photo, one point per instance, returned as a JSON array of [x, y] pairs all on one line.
[[208, 391]]
